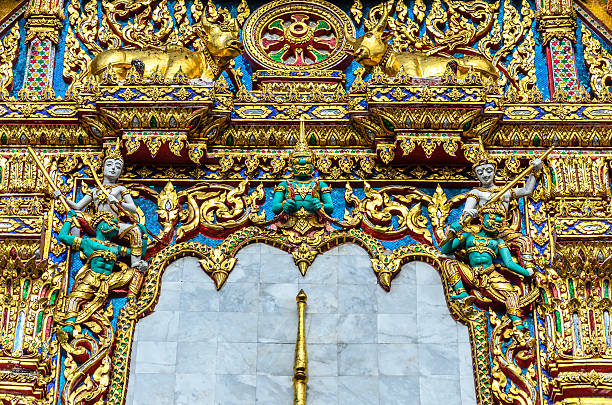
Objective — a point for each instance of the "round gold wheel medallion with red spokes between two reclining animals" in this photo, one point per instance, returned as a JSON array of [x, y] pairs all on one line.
[[303, 36]]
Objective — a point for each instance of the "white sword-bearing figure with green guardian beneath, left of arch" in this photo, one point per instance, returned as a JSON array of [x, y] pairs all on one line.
[[103, 272]]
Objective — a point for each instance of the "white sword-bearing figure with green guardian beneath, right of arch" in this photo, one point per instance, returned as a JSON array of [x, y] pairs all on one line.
[[485, 262]]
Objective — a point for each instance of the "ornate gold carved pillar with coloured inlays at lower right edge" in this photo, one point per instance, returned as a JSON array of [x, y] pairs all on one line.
[[576, 310]]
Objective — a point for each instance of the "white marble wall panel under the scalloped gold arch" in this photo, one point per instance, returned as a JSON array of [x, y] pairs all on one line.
[[236, 346]]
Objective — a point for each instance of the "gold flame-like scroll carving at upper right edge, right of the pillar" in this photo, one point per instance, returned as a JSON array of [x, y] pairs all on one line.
[[599, 62]]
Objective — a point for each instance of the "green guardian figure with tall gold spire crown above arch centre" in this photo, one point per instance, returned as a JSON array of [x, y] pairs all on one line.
[[303, 199]]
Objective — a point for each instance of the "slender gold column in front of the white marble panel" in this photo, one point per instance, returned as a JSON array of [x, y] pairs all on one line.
[[300, 363]]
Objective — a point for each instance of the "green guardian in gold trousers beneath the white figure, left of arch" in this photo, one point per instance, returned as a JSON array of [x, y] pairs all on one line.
[[102, 272]]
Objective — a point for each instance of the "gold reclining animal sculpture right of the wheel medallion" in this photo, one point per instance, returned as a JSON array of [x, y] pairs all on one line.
[[372, 49]]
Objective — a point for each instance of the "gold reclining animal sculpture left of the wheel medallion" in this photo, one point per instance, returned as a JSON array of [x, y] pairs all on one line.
[[222, 40]]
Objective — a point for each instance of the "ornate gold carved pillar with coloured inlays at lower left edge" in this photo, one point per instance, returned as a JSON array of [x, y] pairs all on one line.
[[31, 292]]
